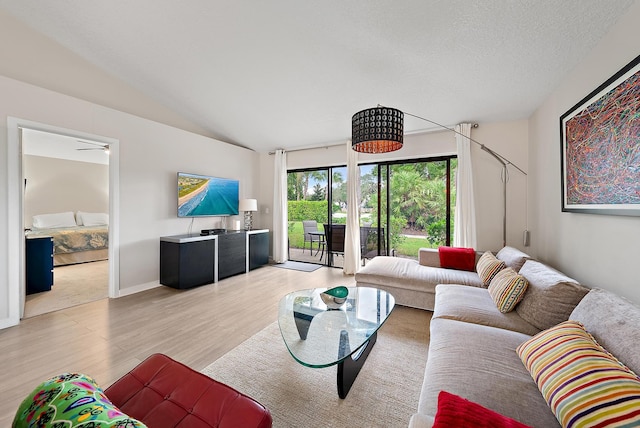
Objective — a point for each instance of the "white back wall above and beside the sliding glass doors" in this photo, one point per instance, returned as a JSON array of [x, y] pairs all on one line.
[[508, 138]]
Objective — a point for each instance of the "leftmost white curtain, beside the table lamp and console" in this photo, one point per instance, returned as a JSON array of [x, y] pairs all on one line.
[[280, 229]]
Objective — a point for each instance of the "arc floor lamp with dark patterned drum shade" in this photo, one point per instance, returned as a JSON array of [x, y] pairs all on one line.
[[380, 130]]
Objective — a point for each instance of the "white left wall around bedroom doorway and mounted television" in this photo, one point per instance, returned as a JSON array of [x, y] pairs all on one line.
[[150, 156]]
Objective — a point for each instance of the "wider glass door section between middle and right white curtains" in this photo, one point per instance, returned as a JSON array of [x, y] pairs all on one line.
[[409, 204]]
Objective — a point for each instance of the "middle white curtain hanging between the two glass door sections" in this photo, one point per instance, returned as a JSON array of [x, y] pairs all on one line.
[[352, 230]]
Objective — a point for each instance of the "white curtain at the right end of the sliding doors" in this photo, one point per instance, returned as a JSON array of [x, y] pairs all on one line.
[[465, 213]]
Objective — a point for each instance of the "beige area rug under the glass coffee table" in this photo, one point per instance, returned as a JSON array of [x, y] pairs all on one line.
[[385, 393]]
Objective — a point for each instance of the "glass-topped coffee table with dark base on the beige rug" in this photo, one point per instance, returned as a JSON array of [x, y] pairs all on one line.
[[317, 336]]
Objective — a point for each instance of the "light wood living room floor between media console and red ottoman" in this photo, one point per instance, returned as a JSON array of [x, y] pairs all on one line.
[[107, 338]]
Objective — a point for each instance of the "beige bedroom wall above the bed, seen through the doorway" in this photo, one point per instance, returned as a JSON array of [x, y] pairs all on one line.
[[58, 185]]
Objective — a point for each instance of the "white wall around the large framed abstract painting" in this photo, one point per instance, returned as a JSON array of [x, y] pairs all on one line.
[[598, 250]]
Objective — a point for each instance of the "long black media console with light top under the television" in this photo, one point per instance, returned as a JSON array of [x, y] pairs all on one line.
[[191, 260]]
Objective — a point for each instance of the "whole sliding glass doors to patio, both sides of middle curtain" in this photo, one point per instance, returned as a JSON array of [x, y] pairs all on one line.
[[404, 206]]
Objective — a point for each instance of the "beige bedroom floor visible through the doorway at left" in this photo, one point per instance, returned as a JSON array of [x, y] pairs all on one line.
[[72, 285]]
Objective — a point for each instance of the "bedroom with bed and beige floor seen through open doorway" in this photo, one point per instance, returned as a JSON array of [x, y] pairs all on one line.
[[66, 197]]
